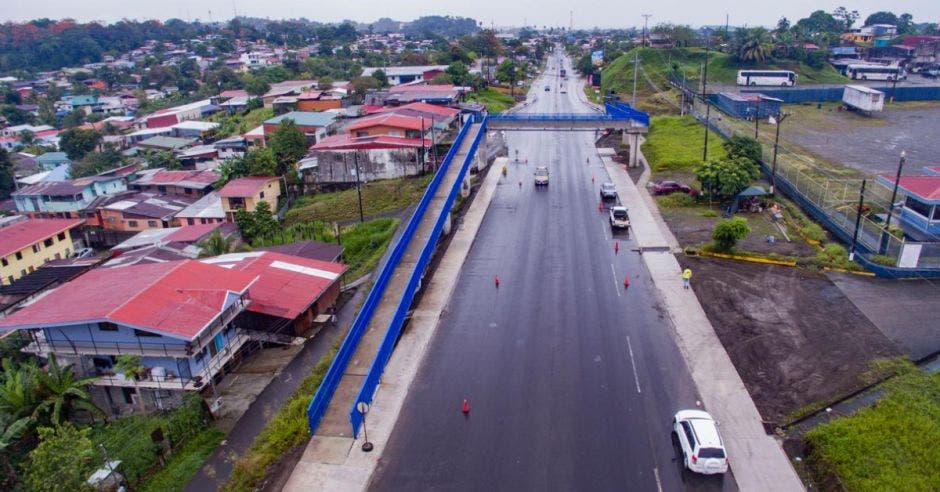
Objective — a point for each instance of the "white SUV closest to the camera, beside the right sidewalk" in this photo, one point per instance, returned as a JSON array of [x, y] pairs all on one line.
[[703, 451]]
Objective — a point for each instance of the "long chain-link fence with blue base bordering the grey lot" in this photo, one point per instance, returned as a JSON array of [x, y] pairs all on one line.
[[829, 194]]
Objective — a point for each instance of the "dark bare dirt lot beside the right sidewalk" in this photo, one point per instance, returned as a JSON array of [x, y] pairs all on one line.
[[793, 336]]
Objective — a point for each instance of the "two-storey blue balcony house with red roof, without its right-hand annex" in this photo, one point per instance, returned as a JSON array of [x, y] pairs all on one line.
[[176, 317]]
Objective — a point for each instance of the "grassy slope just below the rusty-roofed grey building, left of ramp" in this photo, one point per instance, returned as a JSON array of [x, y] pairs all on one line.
[[377, 197]]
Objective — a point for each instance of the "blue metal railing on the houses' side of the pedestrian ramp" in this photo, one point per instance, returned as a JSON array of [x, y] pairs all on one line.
[[321, 399]]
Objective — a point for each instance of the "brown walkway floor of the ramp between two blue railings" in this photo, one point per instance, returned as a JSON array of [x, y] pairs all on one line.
[[335, 422]]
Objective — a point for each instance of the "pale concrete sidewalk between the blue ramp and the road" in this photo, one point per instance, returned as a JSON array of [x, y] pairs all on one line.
[[336, 463]]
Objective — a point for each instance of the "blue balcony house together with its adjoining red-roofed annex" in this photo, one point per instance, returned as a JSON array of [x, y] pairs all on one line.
[[188, 322]]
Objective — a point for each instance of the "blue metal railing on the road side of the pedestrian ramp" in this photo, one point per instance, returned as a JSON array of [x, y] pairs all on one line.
[[371, 381]]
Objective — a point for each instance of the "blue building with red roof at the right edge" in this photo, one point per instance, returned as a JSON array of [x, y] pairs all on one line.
[[920, 212]]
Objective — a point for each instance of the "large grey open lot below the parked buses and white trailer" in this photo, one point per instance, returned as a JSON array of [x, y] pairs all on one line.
[[868, 143]]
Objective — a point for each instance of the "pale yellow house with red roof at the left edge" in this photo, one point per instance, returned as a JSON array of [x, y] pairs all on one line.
[[26, 244]]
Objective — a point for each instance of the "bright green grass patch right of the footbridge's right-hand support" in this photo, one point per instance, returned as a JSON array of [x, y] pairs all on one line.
[[675, 143]]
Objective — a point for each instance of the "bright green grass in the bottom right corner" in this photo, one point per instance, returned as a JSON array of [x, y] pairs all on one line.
[[890, 446]]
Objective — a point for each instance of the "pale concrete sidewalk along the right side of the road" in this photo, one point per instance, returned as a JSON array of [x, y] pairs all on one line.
[[757, 460]]
